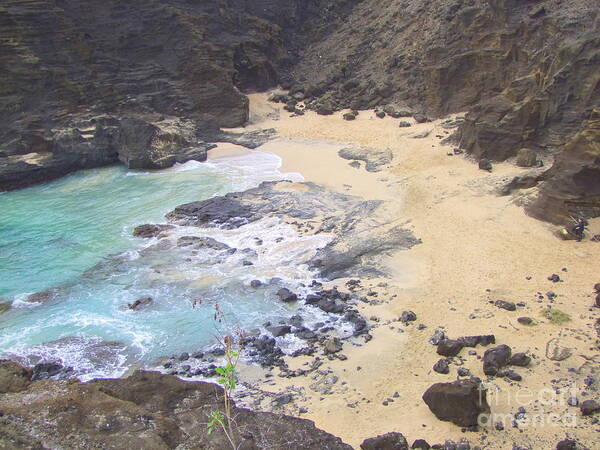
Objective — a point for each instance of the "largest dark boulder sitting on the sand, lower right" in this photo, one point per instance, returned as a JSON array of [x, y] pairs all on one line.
[[460, 402]]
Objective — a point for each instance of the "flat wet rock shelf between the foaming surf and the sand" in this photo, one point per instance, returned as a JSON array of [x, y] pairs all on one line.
[[356, 248]]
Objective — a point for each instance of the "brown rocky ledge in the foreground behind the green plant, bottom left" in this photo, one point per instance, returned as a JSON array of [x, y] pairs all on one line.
[[146, 410]]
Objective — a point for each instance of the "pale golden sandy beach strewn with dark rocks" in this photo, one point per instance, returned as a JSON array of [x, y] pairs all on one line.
[[477, 247]]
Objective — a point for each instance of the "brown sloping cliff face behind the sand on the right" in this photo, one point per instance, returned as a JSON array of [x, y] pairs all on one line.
[[526, 71]]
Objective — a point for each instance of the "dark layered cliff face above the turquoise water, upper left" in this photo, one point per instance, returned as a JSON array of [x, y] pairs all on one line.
[[72, 71]]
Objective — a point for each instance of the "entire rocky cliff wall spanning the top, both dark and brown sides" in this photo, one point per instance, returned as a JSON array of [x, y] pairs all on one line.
[[526, 71]]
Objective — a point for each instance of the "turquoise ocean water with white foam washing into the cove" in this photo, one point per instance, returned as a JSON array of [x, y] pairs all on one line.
[[73, 237]]
